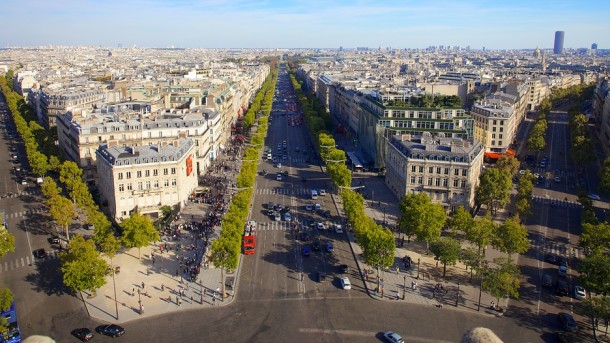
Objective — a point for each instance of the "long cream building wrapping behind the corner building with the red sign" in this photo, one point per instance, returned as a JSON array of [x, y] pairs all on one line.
[[130, 124]]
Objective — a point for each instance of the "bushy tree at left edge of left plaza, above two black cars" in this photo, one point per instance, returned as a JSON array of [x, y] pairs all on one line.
[[82, 266]]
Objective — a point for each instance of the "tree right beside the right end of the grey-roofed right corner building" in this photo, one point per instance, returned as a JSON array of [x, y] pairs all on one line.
[[494, 189]]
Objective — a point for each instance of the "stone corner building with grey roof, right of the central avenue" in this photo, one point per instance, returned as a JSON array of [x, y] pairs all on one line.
[[447, 169]]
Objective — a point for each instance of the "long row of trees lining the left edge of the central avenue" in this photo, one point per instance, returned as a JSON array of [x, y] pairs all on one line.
[[226, 249]]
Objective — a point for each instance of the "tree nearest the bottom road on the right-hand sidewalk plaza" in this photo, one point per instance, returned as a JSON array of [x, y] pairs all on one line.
[[503, 280]]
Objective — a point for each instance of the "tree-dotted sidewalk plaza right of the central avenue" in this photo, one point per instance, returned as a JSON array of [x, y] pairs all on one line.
[[415, 284]]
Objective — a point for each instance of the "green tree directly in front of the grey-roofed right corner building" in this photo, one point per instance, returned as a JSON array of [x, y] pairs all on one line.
[[420, 217]]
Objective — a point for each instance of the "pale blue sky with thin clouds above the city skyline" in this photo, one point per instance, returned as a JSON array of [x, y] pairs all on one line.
[[493, 24]]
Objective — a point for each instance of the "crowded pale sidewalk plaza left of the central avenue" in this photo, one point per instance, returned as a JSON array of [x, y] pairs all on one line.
[[155, 281]]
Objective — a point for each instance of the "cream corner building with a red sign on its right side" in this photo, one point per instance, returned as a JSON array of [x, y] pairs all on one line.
[[145, 178]]
